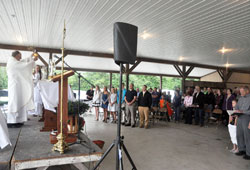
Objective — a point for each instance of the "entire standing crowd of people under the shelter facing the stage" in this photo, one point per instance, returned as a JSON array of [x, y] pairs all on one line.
[[195, 104]]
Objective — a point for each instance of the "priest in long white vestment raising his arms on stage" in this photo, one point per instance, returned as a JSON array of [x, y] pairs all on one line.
[[20, 87]]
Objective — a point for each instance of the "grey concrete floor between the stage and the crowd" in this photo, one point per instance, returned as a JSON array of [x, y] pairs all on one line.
[[168, 146]]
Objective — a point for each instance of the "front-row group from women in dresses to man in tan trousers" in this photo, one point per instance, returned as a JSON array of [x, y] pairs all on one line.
[[130, 100]]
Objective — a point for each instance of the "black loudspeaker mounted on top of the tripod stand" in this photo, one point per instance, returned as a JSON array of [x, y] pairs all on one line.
[[125, 43]]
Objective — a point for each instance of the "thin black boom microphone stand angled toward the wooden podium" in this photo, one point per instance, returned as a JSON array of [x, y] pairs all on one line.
[[80, 140]]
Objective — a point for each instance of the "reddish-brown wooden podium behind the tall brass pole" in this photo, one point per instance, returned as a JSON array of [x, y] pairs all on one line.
[[70, 138]]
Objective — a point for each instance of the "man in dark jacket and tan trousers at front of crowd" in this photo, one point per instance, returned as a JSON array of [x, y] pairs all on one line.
[[144, 105]]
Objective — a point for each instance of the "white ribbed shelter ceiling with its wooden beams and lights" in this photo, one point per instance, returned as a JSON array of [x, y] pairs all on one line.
[[192, 39]]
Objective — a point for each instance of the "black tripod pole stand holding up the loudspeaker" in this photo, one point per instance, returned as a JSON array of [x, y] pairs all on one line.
[[119, 141]]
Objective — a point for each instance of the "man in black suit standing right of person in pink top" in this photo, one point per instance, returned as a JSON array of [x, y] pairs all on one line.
[[198, 101]]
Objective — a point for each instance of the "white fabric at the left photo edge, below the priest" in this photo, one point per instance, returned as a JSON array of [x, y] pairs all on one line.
[[4, 135]]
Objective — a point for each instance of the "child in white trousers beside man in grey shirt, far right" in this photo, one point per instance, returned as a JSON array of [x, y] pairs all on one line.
[[232, 129]]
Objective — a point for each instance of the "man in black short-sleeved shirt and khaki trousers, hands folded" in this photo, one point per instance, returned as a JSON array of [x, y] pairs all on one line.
[[130, 99]]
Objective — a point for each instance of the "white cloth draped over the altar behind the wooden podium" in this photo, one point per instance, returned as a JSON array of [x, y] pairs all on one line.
[[50, 93]]
